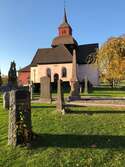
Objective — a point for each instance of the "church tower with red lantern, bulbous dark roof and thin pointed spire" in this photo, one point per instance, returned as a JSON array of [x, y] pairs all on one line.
[[65, 35]]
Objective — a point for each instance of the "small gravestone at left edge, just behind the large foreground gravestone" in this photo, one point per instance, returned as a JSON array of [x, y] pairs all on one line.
[[6, 100]]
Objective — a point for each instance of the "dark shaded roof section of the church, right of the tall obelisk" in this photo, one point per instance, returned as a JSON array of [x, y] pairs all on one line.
[[86, 52]]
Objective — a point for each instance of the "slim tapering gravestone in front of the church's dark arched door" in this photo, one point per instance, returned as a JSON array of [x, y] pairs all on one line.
[[60, 106]]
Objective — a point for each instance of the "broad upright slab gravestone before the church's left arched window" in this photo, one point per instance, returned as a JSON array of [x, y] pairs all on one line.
[[45, 90]]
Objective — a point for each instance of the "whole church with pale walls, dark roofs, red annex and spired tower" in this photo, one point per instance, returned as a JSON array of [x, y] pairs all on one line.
[[56, 61]]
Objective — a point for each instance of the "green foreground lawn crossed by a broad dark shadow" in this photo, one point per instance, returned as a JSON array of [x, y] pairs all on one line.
[[95, 138]]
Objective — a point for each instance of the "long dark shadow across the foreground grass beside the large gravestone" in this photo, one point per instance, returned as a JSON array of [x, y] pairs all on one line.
[[79, 141]]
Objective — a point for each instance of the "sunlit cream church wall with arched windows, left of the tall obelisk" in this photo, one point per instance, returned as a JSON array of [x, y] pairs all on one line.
[[55, 68]]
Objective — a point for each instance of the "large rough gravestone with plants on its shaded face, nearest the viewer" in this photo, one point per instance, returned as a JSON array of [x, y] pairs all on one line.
[[20, 129]]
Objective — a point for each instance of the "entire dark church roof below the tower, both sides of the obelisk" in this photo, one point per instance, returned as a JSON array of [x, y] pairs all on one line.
[[61, 54]]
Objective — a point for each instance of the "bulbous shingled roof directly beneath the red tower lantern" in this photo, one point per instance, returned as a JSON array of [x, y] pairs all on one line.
[[65, 40]]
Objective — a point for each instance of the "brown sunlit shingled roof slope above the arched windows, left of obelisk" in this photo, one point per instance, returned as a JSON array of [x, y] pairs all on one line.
[[56, 55]]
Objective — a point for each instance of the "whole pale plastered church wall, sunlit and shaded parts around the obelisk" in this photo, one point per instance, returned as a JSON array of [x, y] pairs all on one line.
[[89, 70]]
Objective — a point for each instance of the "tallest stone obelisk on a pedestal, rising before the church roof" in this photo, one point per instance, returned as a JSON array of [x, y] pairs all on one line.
[[75, 87]]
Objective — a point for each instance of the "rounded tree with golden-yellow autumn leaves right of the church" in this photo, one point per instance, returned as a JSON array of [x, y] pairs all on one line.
[[111, 60]]
